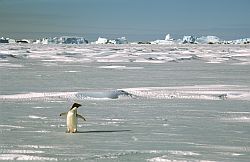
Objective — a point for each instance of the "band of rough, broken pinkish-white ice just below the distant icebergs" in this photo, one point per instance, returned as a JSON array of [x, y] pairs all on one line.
[[125, 53]]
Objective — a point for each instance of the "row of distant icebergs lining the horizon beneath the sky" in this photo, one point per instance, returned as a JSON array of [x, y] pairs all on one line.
[[122, 40]]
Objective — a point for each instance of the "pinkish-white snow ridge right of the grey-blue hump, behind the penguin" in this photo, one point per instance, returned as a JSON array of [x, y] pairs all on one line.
[[205, 92]]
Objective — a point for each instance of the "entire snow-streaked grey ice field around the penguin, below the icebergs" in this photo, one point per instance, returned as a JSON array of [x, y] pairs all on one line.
[[155, 103]]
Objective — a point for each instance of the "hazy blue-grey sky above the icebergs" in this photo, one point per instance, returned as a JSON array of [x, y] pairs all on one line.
[[135, 19]]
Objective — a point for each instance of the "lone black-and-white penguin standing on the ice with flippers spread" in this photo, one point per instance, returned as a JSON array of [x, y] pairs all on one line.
[[72, 118]]
